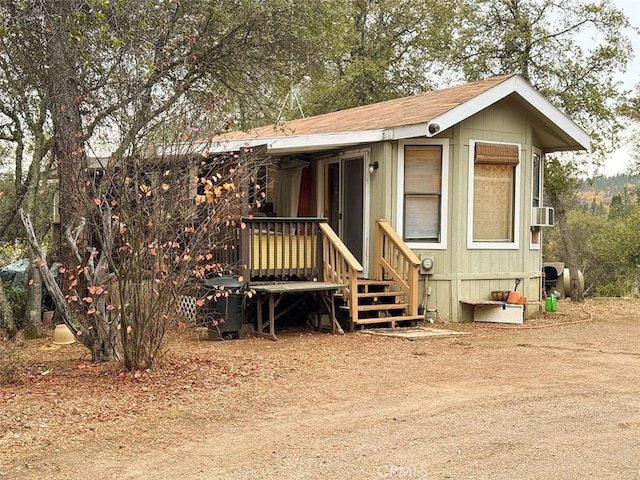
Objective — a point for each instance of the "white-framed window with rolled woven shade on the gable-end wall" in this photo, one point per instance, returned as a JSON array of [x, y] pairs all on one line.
[[493, 195]]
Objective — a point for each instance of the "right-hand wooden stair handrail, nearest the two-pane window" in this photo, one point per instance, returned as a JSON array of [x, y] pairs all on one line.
[[394, 257]]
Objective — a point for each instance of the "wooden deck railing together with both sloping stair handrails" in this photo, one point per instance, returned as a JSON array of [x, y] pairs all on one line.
[[276, 248]]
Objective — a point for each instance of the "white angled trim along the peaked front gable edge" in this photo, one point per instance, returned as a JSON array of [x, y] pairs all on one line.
[[527, 92]]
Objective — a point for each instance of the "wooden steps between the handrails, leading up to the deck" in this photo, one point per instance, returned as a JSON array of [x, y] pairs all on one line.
[[378, 304]]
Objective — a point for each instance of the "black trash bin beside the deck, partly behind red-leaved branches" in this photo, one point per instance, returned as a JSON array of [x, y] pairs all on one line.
[[223, 311]]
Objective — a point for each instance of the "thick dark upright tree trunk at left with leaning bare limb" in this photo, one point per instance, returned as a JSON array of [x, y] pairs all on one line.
[[65, 93]]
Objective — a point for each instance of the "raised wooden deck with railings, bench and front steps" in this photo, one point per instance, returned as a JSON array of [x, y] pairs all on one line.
[[280, 257]]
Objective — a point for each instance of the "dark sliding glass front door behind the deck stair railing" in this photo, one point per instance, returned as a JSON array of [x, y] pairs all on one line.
[[344, 181]]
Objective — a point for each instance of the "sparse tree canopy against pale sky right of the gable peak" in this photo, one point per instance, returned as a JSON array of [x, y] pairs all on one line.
[[539, 39]]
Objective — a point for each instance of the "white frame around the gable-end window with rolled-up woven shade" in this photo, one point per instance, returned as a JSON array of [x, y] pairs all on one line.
[[471, 243]]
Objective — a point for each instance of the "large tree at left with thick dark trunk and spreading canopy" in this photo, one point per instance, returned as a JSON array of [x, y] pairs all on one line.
[[113, 73]]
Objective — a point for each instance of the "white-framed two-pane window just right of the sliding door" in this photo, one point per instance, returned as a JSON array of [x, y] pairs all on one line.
[[422, 183]]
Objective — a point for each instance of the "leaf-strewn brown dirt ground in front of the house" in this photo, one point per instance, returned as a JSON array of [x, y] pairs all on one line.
[[556, 398]]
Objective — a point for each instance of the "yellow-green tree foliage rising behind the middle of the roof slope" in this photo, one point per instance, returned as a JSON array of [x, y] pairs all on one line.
[[382, 49]]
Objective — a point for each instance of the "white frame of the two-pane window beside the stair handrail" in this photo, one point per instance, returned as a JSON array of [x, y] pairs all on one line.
[[444, 203]]
